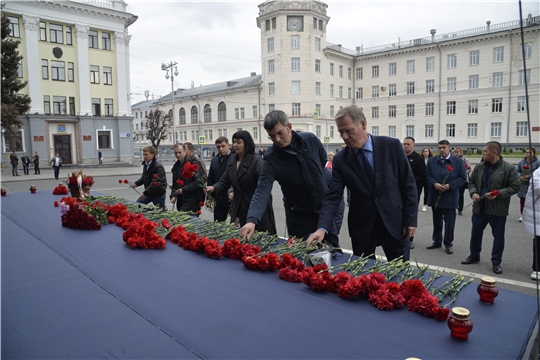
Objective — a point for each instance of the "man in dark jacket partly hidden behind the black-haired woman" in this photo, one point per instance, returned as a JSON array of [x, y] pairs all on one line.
[[217, 168]]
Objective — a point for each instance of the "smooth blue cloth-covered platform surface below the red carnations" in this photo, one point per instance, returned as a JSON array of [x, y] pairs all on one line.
[[85, 294]]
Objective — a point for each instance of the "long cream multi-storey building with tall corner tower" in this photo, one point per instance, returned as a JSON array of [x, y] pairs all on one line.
[[467, 86]]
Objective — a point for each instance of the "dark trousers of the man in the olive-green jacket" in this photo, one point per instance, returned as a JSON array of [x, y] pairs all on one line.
[[498, 225]]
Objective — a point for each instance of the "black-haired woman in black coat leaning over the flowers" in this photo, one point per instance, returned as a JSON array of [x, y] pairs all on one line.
[[242, 174]]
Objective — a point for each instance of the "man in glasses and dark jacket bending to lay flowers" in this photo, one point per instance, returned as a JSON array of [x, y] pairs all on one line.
[[296, 161]]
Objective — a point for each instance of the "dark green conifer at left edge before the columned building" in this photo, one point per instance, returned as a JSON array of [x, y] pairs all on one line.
[[13, 104]]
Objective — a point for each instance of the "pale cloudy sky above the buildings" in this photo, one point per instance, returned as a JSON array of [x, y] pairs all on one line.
[[214, 41]]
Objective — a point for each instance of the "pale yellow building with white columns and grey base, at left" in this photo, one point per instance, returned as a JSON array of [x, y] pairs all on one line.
[[76, 61]]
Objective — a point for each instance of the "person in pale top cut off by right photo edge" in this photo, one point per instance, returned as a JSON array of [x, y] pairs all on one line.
[[531, 219]]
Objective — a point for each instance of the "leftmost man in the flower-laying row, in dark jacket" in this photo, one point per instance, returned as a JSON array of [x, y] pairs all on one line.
[[153, 178]]
